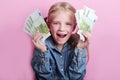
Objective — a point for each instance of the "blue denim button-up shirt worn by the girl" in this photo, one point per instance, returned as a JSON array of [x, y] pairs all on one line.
[[53, 64]]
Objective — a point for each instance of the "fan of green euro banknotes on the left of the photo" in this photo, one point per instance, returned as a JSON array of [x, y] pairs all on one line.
[[35, 23]]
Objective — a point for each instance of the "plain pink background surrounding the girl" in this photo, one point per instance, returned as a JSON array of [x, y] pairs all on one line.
[[16, 46]]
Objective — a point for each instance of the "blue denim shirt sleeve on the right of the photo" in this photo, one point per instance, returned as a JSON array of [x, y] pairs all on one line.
[[77, 68]]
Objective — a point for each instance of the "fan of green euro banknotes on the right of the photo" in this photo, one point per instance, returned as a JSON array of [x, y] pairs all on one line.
[[85, 19]]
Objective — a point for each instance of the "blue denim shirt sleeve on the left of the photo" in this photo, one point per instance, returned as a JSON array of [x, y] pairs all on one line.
[[41, 64]]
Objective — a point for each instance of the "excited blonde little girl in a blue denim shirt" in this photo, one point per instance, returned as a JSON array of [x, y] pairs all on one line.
[[63, 55]]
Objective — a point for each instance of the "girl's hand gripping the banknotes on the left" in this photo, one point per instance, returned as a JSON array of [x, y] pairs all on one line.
[[36, 41]]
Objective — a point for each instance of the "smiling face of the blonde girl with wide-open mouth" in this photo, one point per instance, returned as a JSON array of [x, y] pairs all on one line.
[[61, 26]]
